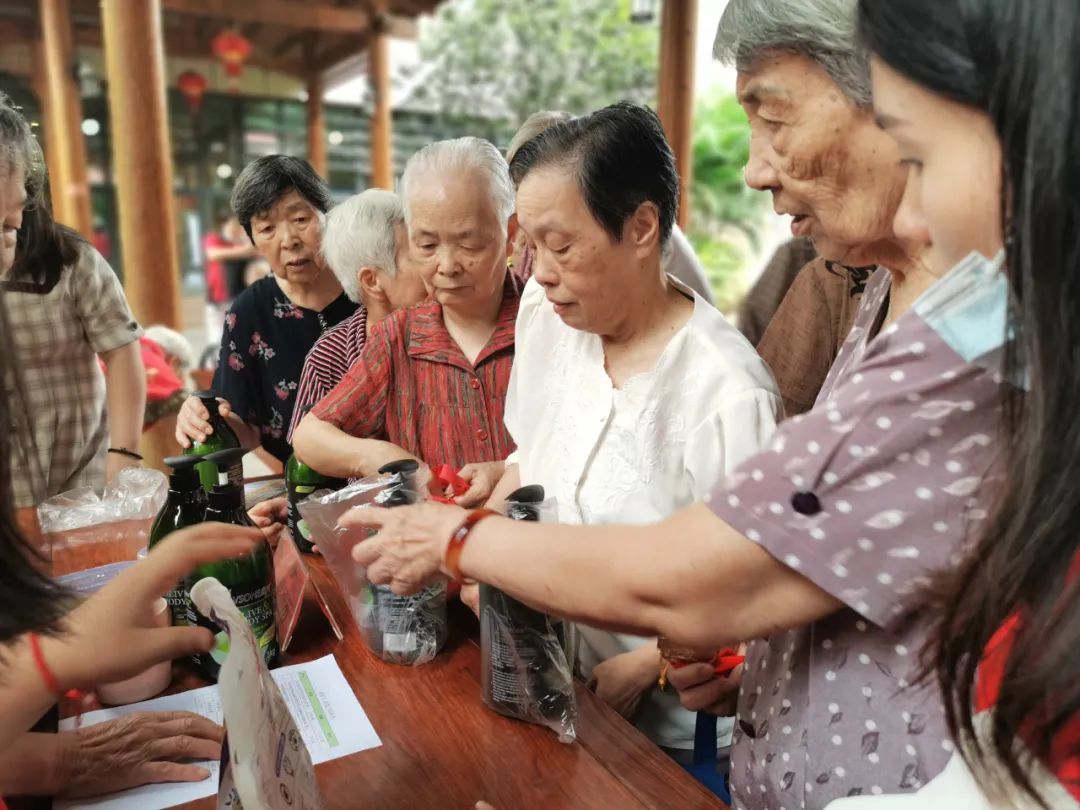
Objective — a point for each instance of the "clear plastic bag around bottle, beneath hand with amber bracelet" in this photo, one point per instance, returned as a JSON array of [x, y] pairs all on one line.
[[401, 630]]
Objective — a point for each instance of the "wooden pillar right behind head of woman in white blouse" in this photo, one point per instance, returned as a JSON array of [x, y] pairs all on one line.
[[679, 37]]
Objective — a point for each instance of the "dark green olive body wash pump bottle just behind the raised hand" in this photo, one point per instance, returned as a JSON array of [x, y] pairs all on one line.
[[250, 579]]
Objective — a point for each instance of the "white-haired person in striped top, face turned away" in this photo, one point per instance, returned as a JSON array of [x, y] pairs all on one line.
[[367, 247]]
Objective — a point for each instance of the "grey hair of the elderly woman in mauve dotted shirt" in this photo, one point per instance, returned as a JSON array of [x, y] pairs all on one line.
[[823, 31]]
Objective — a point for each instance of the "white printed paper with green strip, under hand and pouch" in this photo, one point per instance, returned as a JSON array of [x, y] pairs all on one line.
[[329, 715]]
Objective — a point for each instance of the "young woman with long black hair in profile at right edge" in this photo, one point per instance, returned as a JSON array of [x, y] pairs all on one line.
[[983, 99]]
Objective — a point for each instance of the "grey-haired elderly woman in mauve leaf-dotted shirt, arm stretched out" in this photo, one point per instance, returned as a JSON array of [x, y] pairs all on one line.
[[816, 549]]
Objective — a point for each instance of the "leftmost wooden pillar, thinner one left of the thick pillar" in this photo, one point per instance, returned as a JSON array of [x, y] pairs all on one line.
[[64, 119]]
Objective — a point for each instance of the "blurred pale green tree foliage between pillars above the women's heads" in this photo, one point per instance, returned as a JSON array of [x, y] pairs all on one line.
[[505, 60]]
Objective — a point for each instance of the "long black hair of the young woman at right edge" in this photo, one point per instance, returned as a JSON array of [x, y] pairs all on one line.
[[1017, 62]]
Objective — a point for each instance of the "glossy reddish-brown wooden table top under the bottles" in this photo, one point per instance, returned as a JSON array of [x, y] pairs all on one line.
[[442, 748]]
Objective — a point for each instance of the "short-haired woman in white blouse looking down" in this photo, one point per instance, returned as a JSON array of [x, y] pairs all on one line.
[[631, 397]]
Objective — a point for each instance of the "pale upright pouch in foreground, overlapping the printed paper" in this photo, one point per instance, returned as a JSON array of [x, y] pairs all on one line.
[[265, 764]]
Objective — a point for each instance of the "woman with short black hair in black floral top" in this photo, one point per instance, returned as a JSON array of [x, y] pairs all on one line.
[[281, 202]]
